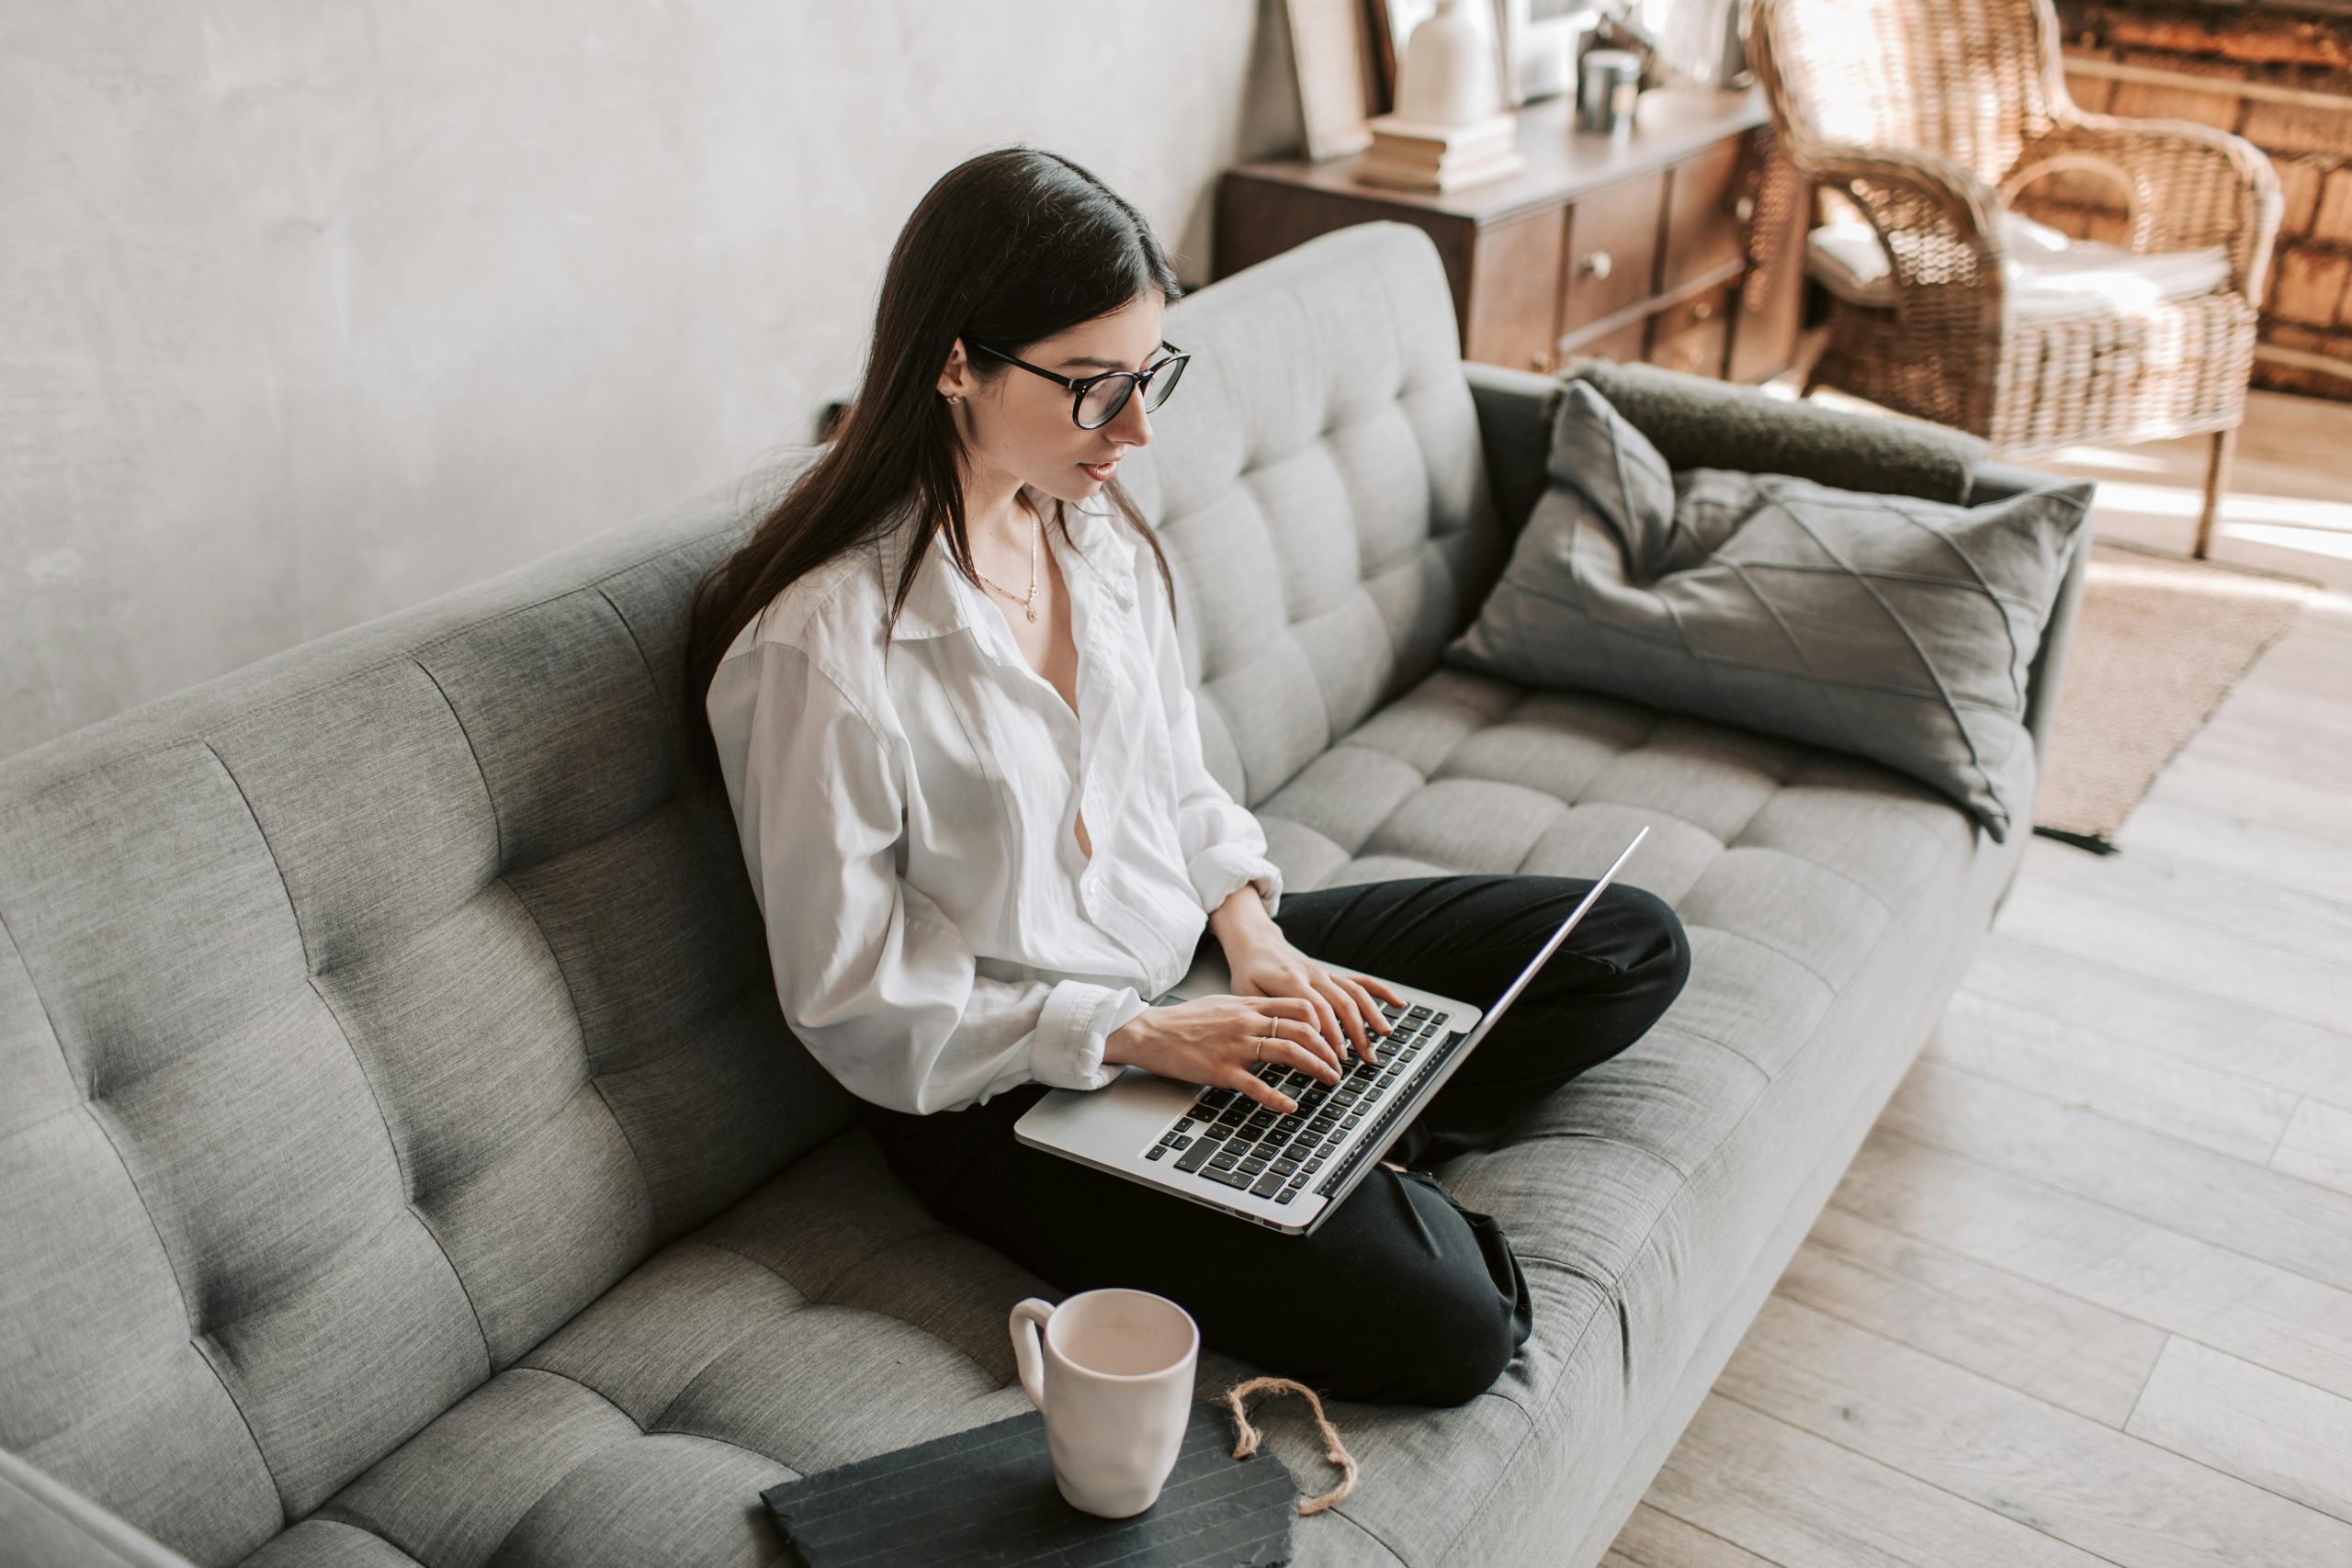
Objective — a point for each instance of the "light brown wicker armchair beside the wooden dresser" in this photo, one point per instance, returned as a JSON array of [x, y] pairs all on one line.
[[1930, 116]]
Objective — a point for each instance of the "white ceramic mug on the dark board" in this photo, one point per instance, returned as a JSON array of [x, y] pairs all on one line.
[[1111, 1372]]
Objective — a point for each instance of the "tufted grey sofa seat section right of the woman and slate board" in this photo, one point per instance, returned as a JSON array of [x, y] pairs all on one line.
[[1822, 897]]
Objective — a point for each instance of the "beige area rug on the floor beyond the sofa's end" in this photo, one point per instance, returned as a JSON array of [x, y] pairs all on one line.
[[2156, 650]]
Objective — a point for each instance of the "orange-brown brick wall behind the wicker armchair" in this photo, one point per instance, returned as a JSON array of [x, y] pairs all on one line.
[[2273, 74]]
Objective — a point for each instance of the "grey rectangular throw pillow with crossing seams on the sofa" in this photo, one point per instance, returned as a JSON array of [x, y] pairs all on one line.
[[1885, 626]]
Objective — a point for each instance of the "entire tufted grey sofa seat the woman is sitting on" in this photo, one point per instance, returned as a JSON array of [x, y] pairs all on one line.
[[1810, 885]]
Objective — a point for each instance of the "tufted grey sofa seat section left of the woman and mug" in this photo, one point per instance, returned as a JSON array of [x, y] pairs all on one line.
[[822, 1320]]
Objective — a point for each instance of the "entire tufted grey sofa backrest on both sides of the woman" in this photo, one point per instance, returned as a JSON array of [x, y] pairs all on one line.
[[373, 1010]]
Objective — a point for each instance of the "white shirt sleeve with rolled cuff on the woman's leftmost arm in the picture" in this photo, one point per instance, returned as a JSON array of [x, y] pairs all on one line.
[[876, 981]]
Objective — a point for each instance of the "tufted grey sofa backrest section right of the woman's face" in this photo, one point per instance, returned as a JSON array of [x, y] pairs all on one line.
[[1321, 495]]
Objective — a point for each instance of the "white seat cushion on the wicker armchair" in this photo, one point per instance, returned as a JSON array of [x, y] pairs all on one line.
[[2050, 276]]
